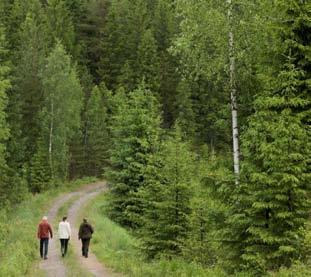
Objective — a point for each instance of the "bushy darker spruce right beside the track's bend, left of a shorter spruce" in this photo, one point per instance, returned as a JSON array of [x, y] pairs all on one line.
[[135, 130]]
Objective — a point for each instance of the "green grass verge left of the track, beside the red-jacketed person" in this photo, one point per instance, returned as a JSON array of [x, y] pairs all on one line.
[[18, 242]]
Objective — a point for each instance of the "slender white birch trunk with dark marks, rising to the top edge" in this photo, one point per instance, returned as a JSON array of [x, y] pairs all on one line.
[[233, 96]]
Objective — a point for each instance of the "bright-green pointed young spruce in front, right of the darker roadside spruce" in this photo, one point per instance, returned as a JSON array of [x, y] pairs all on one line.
[[166, 198]]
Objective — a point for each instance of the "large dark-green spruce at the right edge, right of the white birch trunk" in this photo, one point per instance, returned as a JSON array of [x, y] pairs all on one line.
[[272, 203]]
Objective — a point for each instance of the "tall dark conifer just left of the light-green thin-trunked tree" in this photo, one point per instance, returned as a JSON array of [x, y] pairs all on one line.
[[27, 96]]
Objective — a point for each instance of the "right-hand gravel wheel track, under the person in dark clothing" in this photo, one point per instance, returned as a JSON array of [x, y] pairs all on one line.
[[91, 263]]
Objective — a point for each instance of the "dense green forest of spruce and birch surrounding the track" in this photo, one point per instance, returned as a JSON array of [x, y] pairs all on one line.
[[196, 112]]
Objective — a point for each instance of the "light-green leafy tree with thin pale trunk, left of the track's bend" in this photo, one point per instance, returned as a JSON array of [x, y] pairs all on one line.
[[60, 115]]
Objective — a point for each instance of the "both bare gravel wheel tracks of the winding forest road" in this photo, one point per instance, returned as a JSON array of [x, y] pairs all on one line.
[[54, 265]]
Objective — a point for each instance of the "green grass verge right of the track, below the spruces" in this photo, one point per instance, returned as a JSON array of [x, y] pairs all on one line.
[[117, 249]]
